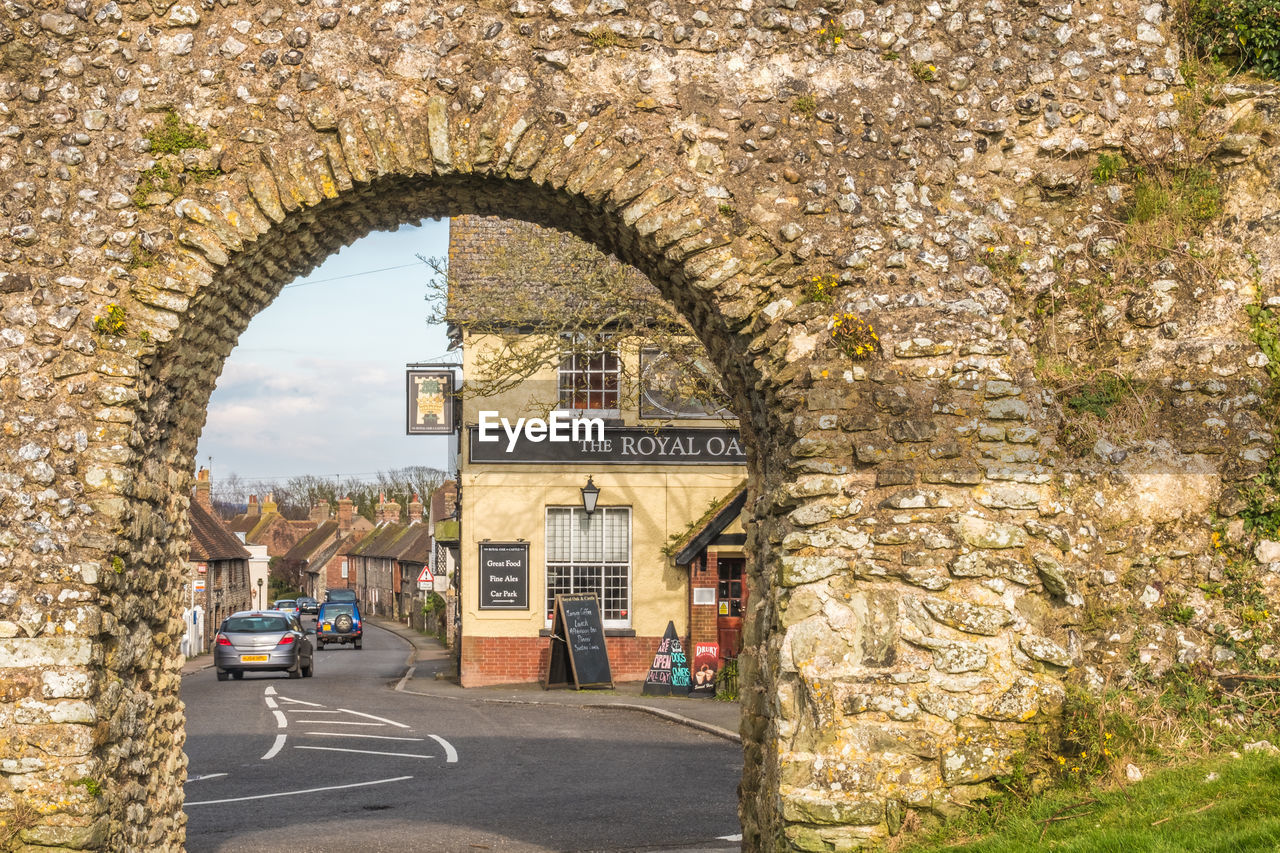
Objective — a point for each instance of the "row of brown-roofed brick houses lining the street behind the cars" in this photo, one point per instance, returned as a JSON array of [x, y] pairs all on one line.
[[382, 560]]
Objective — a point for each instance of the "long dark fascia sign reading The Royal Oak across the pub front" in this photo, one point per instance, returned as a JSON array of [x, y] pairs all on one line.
[[612, 445]]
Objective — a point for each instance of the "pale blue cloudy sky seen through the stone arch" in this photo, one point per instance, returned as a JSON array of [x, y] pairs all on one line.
[[317, 382]]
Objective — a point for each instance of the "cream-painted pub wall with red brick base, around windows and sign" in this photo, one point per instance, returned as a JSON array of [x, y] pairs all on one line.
[[509, 503]]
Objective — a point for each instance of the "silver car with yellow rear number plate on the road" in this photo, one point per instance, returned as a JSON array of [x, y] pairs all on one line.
[[263, 641]]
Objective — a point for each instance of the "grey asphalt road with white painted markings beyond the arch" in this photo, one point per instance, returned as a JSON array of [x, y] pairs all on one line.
[[341, 763]]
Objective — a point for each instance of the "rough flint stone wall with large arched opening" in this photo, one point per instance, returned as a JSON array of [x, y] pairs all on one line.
[[925, 556]]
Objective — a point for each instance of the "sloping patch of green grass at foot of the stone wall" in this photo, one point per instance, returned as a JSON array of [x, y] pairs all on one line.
[[1215, 806]]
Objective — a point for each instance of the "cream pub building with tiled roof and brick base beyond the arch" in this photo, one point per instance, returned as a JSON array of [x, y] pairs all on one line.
[[643, 510]]
